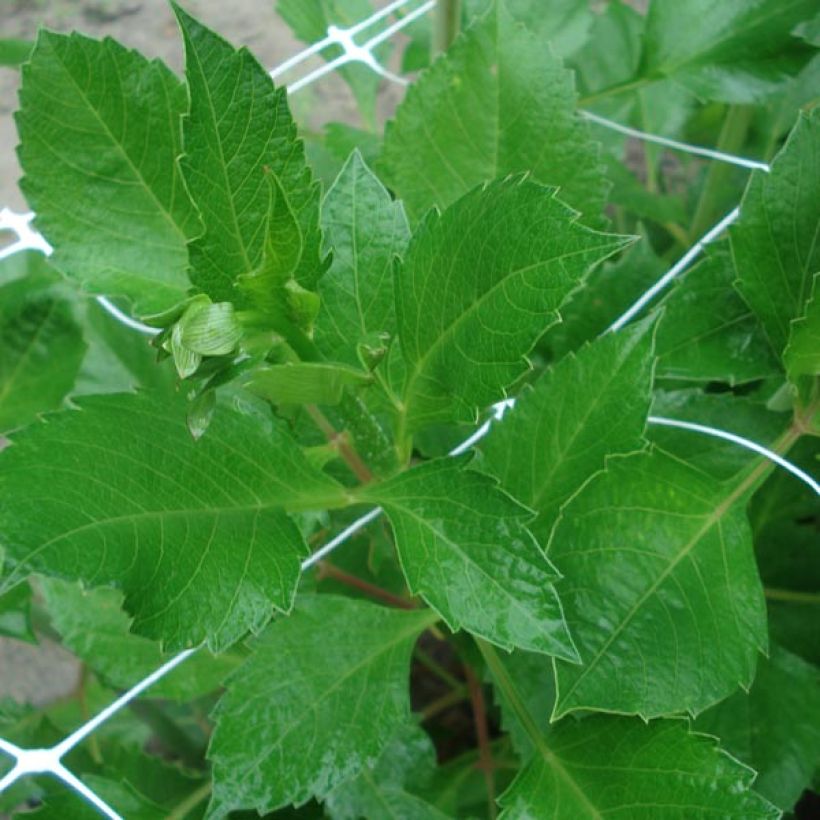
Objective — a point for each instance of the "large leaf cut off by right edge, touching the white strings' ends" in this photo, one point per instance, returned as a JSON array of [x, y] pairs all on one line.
[[775, 244]]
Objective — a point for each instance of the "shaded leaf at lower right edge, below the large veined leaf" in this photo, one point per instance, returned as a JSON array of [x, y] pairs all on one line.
[[775, 727]]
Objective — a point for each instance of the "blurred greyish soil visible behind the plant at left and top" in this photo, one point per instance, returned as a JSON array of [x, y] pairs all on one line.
[[39, 674]]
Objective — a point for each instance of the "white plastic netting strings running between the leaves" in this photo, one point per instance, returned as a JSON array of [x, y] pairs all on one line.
[[48, 761]]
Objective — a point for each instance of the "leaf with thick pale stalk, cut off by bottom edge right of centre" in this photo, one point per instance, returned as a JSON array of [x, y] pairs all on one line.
[[607, 766]]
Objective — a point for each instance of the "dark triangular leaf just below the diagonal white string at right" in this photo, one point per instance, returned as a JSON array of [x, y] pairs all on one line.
[[707, 332]]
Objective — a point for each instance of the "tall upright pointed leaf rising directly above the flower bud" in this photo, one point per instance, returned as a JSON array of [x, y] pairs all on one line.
[[231, 140]]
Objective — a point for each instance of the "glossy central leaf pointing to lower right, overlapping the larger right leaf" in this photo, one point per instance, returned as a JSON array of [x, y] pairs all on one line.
[[465, 548]]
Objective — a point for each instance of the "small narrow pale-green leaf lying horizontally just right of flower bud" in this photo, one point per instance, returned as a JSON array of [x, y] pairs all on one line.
[[305, 382]]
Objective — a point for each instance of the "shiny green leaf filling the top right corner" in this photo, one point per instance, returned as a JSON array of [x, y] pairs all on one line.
[[735, 50]]
